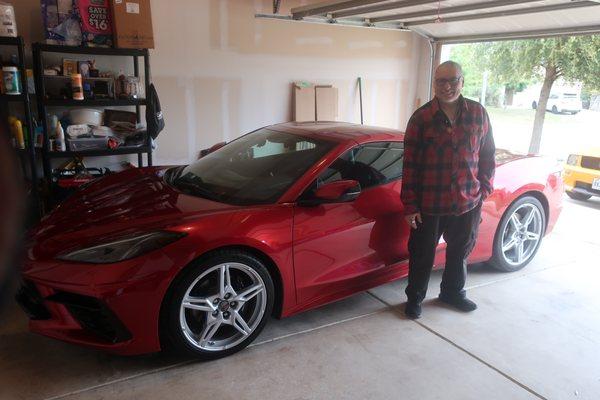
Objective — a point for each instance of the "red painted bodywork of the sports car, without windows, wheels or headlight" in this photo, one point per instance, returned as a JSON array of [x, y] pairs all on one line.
[[317, 254]]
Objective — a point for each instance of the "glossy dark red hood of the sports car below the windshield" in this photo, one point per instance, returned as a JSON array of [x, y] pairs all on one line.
[[136, 200]]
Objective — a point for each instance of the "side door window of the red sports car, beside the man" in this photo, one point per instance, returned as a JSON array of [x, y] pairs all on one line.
[[370, 164]]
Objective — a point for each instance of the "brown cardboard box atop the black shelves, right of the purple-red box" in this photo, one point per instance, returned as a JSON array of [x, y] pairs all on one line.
[[132, 24]]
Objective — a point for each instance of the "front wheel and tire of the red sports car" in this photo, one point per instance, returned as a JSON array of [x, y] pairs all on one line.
[[223, 318]]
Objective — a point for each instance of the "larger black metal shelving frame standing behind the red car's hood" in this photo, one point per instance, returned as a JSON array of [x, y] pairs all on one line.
[[39, 49]]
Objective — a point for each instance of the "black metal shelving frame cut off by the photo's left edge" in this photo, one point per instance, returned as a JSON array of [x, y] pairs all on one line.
[[28, 154]]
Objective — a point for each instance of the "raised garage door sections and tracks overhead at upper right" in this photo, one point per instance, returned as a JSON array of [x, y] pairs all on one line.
[[458, 21]]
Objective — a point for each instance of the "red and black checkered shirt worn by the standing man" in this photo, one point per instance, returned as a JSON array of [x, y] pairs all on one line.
[[448, 169]]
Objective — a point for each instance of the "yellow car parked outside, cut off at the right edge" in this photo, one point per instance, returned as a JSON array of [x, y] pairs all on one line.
[[582, 175]]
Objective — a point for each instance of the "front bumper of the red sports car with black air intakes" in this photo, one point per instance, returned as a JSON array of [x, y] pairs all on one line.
[[108, 307]]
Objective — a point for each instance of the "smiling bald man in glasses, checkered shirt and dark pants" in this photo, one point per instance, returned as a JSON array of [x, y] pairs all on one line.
[[448, 169]]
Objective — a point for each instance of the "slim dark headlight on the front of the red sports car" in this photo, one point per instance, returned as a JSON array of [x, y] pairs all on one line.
[[123, 248]]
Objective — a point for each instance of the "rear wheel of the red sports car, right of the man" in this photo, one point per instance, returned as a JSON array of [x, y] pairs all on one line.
[[526, 240]]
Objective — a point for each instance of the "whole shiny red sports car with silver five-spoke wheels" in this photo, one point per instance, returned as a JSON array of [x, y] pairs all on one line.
[[281, 220]]
